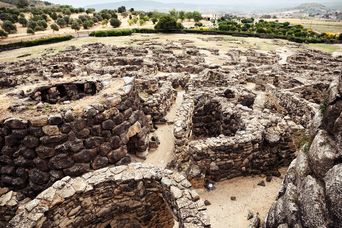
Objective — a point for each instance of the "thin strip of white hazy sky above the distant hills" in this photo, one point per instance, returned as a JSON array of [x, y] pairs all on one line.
[[228, 2]]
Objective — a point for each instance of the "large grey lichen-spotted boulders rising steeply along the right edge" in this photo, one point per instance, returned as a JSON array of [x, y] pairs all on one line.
[[311, 195]]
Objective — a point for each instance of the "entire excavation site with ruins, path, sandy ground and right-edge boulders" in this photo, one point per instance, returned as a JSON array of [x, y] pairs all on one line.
[[171, 133]]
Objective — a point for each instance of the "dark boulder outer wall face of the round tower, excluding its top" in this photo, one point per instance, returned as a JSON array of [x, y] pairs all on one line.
[[37, 151]]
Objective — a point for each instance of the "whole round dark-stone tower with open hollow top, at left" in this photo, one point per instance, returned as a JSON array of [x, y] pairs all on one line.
[[48, 131]]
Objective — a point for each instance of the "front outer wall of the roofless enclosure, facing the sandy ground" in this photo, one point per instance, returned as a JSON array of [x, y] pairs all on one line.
[[244, 154]]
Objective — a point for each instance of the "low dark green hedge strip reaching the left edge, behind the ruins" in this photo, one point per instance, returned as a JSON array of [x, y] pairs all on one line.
[[30, 43]]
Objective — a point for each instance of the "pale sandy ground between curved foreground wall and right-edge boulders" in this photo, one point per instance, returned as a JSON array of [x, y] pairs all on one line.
[[225, 213]]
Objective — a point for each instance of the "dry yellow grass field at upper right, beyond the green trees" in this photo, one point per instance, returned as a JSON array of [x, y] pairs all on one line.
[[315, 24]]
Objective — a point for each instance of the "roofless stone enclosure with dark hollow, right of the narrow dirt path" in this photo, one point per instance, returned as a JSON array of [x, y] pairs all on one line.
[[247, 144]]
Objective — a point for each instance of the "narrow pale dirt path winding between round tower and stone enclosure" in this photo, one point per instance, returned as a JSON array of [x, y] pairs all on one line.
[[162, 155]]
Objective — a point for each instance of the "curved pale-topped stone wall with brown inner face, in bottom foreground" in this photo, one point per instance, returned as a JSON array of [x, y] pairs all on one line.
[[133, 195]]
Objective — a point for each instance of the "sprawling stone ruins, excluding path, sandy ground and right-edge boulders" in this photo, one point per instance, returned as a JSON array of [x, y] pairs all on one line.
[[70, 116]]
